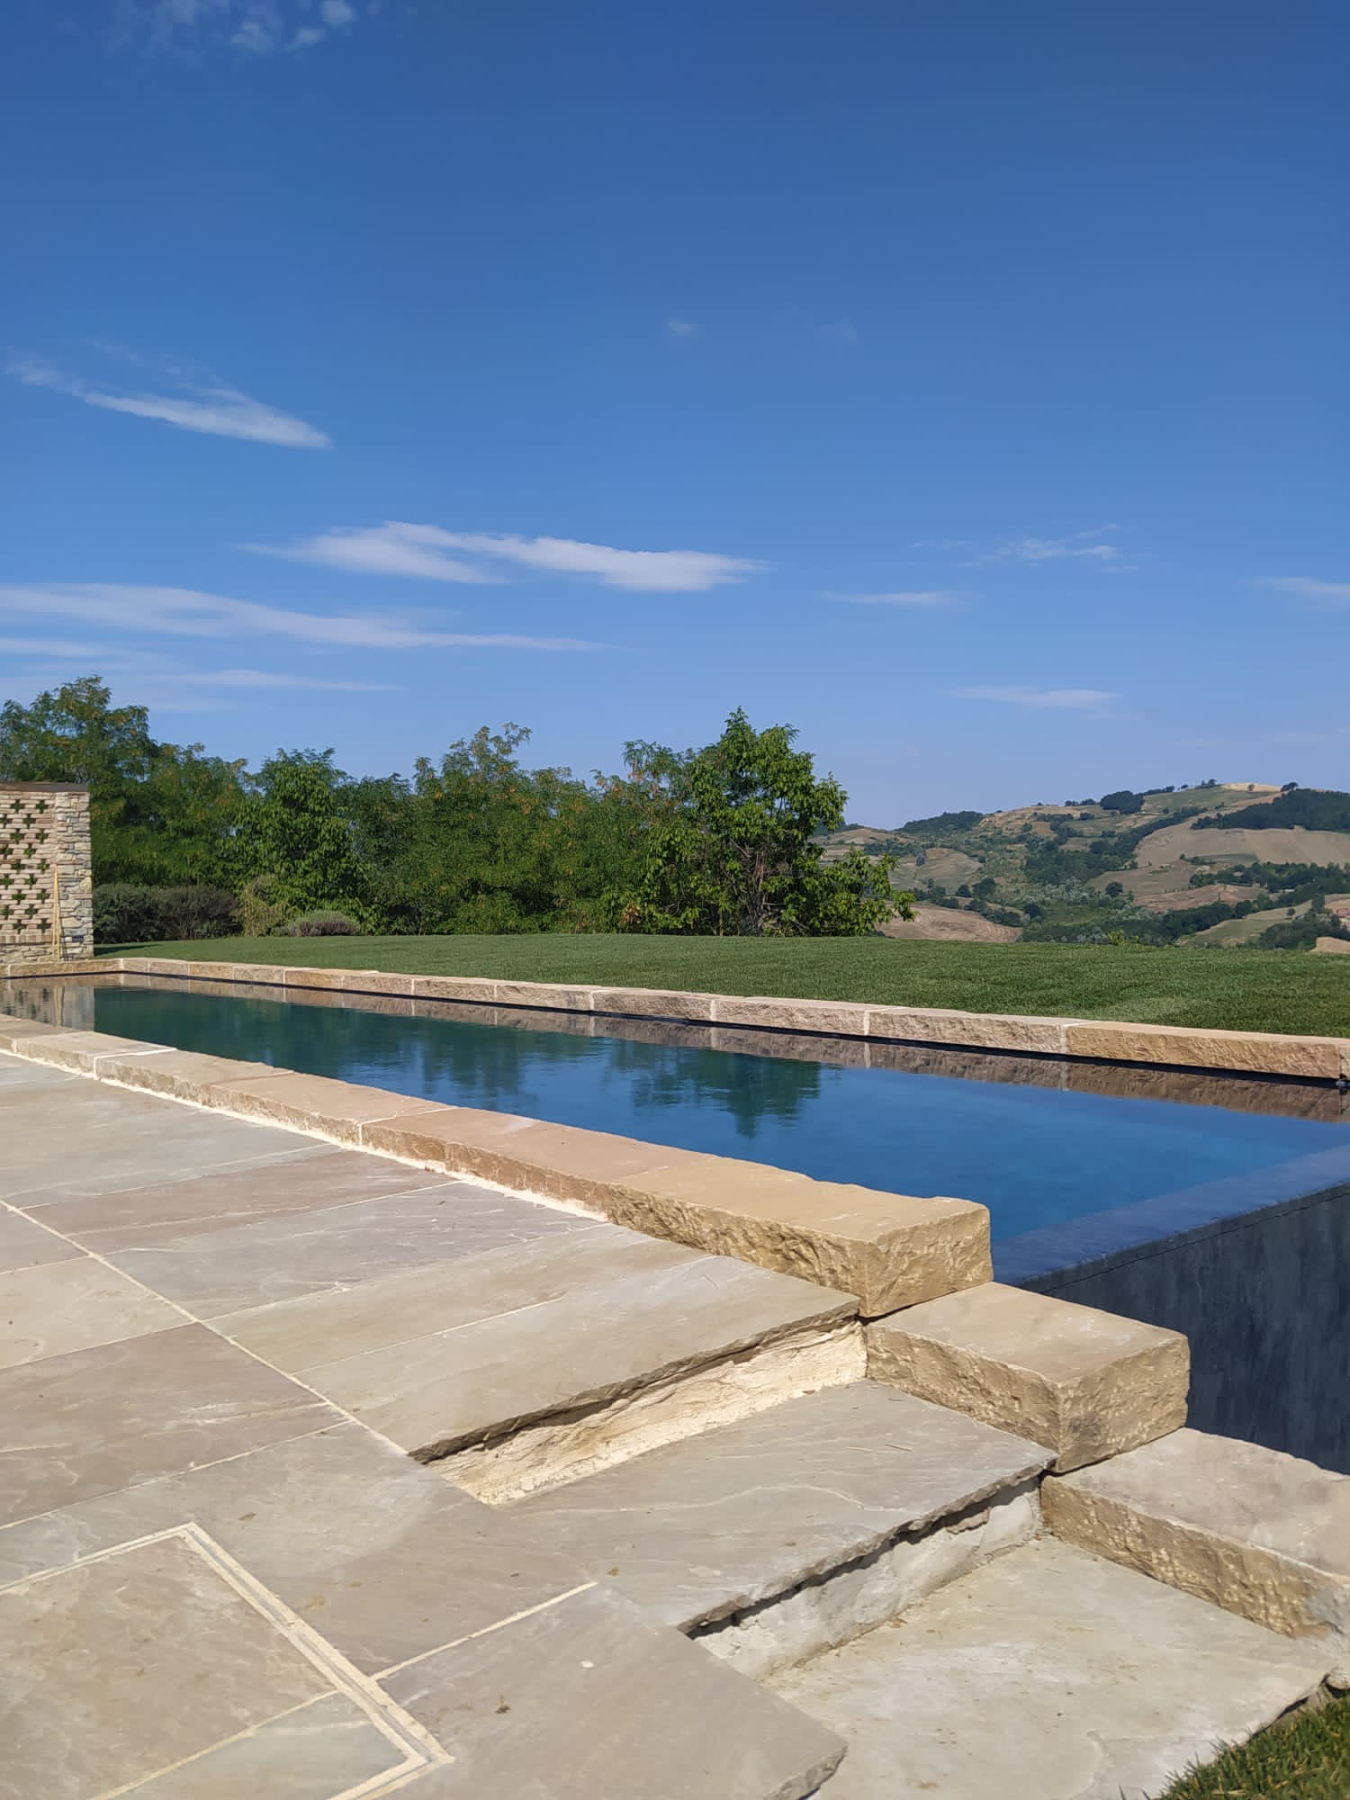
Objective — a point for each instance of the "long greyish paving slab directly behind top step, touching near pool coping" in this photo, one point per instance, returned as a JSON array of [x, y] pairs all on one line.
[[327, 1248]]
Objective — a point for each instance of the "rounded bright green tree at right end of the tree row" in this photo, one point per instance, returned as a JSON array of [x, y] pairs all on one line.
[[737, 858]]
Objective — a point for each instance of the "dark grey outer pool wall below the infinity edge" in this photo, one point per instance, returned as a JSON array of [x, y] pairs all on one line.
[[1266, 1306]]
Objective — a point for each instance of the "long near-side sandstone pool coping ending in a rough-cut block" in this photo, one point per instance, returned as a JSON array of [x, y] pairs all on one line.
[[876, 1250]]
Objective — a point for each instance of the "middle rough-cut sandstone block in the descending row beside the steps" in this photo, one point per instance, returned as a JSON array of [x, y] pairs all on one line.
[[1084, 1383]]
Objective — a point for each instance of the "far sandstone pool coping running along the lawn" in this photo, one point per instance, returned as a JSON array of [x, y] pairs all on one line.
[[1324, 1059]]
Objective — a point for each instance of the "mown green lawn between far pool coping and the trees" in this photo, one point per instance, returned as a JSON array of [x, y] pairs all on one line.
[[1246, 991]]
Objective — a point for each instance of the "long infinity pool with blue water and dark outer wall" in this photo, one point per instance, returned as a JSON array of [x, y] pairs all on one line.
[[1214, 1205]]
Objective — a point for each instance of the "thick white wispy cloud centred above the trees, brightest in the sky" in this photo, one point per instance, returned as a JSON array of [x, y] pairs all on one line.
[[426, 552]]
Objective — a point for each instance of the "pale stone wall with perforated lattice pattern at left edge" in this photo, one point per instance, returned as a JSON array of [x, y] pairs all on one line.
[[46, 874]]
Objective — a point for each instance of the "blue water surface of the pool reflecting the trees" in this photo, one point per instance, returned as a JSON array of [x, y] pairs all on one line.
[[1043, 1160]]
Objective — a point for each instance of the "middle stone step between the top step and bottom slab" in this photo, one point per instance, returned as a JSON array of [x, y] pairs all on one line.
[[793, 1531]]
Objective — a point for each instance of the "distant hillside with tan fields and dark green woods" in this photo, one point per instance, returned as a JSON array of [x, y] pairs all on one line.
[[1216, 865]]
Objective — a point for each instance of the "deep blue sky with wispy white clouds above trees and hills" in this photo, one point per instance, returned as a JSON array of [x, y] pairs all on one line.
[[964, 384]]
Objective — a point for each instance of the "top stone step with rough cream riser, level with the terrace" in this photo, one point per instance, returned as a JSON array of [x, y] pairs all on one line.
[[544, 1362]]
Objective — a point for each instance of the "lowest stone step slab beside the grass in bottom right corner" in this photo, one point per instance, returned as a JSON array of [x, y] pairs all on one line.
[[1048, 1675]]
